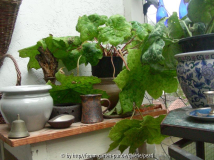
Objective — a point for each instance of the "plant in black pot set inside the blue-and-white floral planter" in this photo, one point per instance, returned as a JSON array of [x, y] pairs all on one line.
[[195, 67]]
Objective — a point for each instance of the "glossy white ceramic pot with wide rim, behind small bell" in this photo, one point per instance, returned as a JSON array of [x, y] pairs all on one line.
[[32, 102]]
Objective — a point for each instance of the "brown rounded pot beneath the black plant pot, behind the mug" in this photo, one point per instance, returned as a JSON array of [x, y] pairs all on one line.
[[108, 85]]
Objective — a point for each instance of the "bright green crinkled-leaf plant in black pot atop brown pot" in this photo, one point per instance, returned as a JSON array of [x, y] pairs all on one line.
[[112, 35]]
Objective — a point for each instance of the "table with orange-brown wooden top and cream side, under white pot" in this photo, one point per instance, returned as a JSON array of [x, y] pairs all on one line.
[[79, 139]]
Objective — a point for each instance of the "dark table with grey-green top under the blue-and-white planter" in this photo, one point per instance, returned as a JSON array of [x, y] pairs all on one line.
[[178, 124]]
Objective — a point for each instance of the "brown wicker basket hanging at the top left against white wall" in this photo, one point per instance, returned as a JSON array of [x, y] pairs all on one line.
[[8, 13]]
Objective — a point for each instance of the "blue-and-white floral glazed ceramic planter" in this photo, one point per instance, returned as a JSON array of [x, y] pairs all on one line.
[[195, 72]]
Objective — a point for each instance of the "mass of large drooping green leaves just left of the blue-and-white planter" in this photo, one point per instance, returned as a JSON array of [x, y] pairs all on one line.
[[152, 68]]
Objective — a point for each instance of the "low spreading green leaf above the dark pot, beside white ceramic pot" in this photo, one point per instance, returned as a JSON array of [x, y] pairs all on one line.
[[72, 87]]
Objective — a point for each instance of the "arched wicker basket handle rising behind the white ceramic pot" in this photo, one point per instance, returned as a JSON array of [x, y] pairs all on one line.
[[18, 82]]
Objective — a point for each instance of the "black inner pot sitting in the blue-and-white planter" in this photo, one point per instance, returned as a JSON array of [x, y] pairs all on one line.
[[197, 43]]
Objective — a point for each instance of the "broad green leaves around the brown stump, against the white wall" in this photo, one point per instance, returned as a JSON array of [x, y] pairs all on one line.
[[60, 47]]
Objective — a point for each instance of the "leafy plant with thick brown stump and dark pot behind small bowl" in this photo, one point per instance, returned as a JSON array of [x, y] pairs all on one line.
[[46, 54]]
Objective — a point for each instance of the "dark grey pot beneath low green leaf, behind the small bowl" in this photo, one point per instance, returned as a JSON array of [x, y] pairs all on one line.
[[70, 109]]
